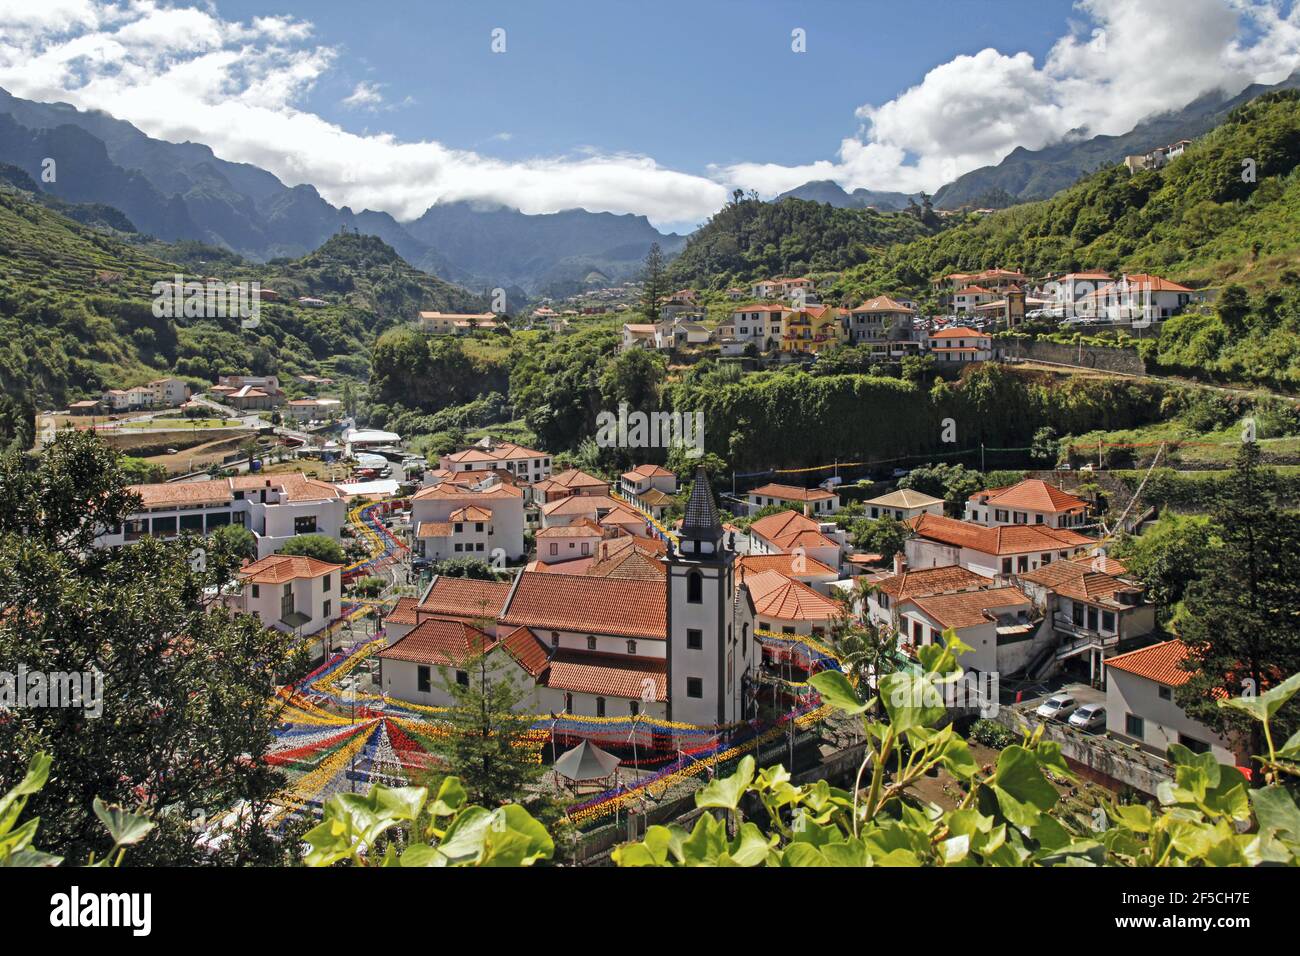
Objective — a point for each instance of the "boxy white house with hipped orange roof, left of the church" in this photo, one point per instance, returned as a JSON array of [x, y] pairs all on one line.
[[292, 592]]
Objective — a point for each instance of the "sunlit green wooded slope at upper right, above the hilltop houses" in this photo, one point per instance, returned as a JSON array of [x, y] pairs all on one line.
[[1195, 220]]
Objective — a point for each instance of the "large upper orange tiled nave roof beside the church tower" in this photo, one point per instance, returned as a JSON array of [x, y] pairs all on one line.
[[592, 605]]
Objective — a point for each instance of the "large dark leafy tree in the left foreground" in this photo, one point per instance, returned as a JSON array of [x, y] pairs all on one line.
[[187, 693]]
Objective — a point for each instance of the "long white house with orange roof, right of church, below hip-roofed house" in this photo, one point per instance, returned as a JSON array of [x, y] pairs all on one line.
[[994, 552]]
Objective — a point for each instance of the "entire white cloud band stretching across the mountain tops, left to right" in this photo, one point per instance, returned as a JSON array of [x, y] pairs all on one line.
[[181, 72]]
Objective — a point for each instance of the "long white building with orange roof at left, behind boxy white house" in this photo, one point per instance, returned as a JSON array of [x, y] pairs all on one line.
[[274, 508]]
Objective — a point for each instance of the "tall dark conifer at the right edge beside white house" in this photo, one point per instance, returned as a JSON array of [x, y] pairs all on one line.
[[1242, 615]]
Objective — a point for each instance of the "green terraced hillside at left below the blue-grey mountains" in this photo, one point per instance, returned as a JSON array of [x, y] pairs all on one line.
[[76, 309]]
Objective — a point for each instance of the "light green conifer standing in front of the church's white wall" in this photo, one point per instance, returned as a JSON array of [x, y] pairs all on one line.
[[489, 746]]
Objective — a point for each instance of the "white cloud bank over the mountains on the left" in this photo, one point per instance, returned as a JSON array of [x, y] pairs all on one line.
[[184, 73]]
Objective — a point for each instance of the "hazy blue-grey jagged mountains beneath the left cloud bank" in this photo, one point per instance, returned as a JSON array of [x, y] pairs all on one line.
[[184, 192]]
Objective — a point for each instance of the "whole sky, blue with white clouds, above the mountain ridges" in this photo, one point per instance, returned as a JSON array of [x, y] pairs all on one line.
[[652, 109]]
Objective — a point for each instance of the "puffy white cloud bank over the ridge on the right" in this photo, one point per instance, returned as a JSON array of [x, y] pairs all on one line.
[[1132, 59]]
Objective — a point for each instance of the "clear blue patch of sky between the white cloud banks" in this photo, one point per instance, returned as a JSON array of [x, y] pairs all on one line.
[[690, 84]]
